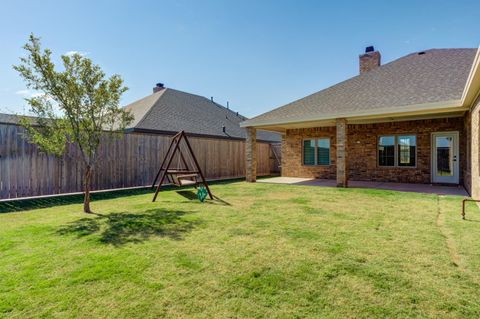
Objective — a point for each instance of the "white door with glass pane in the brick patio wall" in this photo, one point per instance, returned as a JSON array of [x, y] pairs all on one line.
[[445, 159]]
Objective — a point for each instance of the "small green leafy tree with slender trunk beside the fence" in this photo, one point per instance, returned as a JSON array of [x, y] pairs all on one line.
[[75, 105]]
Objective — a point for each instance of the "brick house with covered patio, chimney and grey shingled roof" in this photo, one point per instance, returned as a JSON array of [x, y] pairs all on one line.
[[413, 120]]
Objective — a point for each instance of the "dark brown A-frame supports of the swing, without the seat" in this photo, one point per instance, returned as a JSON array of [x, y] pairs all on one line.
[[165, 170]]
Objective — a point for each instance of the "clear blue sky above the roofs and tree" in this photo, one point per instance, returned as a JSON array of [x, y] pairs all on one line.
[[257, 55]]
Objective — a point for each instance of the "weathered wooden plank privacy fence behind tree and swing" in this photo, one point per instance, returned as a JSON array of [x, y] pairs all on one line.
[[130, 160]]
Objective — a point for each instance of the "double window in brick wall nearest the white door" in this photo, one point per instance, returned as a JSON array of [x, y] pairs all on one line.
[[397, 151]]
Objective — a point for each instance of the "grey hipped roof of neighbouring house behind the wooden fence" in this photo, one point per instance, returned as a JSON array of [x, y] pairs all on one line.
[[171, 110]]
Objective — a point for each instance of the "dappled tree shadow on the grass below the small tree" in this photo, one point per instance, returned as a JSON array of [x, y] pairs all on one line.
[[122, 228]]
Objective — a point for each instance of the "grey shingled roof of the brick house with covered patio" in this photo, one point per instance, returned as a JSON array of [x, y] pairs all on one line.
[[437, 75]]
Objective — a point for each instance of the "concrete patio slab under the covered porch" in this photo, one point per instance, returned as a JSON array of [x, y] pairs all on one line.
[[402, 187]]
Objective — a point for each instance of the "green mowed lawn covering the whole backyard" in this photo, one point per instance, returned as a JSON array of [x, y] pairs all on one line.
[[262, 251]]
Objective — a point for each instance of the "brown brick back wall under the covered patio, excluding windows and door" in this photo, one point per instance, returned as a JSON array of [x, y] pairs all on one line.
[[362, 147]]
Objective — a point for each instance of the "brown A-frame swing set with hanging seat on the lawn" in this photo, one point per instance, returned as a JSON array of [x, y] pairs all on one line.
[[186, 172]]
